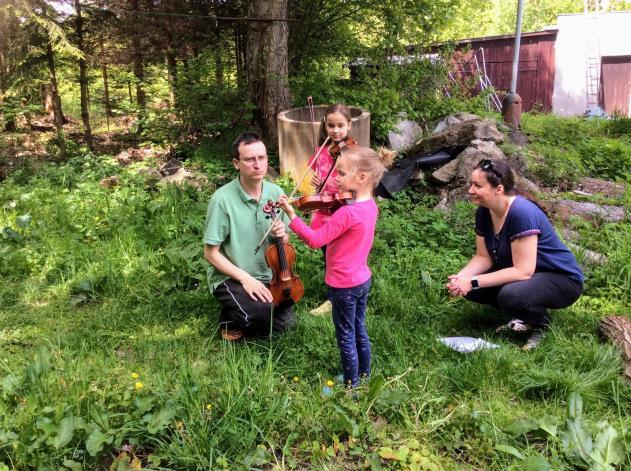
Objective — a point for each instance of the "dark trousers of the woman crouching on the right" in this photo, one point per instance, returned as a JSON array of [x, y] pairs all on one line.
[[530, 299]]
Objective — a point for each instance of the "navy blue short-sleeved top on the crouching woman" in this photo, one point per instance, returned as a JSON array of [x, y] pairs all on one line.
[[524, 219]]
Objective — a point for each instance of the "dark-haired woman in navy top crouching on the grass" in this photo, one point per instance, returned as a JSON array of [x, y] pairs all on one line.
[[520, 265]]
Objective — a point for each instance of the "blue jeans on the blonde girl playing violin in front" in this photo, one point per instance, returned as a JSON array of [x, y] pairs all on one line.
[[349, 319]]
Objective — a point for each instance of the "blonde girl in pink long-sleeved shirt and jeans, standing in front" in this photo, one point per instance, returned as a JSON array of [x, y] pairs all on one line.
[[348, 234]]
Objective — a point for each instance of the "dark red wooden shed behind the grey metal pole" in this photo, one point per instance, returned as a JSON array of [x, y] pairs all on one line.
[[492, 58]]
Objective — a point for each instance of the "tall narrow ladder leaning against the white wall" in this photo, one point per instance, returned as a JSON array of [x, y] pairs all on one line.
[[592, 8]]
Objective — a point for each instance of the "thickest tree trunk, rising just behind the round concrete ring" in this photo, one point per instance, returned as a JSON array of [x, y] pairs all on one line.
[[267, 69]]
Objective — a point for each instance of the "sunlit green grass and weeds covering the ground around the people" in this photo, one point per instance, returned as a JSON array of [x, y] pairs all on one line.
[[110, 353]]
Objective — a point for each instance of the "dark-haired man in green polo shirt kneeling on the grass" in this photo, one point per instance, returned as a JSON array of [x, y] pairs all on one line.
[[235, 222]]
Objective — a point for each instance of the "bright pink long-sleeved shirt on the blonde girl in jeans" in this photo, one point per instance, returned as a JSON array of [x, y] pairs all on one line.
[[348, 235]]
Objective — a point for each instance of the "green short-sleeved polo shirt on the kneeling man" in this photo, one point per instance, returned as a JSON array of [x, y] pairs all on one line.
[[236, 222]]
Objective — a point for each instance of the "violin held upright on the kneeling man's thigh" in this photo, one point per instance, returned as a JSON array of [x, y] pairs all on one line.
[[281, 256]]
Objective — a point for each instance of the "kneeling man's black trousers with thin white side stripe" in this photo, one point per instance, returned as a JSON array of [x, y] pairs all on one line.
[[239, 311]]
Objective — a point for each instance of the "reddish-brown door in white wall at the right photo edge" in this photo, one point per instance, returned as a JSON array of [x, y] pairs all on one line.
[[616, 77]]
